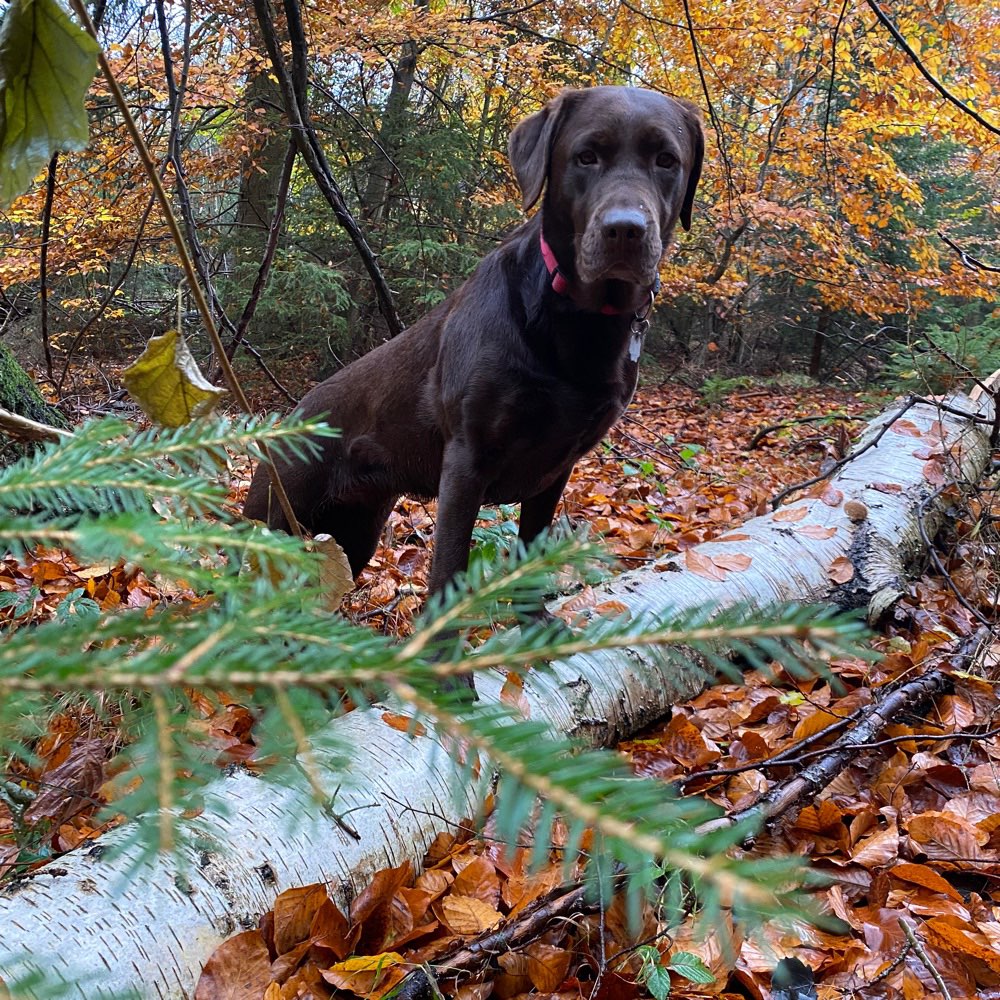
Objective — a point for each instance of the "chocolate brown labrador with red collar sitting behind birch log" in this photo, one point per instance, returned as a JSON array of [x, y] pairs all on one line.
[[494, 395]]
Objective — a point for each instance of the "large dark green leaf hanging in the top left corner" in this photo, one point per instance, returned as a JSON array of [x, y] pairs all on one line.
[[46, 64]]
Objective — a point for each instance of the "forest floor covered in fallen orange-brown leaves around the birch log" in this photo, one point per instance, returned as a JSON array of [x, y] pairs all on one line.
[[908, 835]]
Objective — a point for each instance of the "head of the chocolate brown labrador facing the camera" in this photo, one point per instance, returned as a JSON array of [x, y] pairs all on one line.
[[619, 167]]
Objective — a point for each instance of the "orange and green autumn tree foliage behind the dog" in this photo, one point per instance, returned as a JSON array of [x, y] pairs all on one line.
[[833, 165]]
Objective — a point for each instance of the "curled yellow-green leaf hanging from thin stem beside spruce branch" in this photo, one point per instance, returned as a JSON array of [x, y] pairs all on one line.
[[166, 382]]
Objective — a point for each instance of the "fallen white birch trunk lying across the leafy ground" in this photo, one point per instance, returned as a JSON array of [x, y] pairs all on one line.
[[84, 919]]
